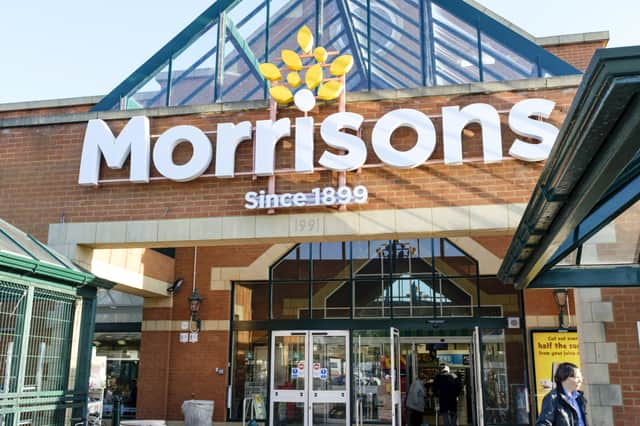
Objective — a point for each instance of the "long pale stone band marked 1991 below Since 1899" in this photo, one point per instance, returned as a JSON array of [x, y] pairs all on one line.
[[284, 228]]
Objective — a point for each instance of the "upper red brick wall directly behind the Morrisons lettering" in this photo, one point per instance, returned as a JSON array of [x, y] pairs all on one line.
[[40, 170]]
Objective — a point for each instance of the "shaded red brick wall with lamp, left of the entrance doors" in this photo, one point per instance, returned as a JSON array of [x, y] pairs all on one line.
[[172, 372]]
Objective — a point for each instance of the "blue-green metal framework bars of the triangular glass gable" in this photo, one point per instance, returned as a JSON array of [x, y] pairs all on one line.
[[359, 43]]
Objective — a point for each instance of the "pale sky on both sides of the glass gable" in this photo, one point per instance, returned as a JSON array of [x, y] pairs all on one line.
[[70, 48]]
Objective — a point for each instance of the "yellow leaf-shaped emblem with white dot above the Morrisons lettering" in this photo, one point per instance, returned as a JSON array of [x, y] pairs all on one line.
[[328, 88]]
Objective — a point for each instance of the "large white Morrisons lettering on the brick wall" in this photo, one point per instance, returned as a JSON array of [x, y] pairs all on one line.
[[134, 142]]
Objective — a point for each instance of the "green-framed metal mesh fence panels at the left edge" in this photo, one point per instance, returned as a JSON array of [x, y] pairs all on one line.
[[36, 341]]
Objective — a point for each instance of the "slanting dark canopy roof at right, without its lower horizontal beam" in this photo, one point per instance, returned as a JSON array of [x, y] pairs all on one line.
[[598, 141]]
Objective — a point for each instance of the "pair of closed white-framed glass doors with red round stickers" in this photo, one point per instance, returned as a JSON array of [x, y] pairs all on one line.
[[310, 378]]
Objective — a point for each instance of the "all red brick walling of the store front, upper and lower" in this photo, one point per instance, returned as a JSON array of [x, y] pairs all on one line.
[[39, 186]]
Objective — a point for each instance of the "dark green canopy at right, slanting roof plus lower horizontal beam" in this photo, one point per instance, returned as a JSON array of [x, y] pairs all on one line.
[[591, 176]]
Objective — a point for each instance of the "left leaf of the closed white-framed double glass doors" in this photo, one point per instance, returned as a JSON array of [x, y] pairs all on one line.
[[288, 402]]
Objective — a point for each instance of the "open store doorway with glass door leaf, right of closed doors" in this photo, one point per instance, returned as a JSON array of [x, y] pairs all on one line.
[[419, 357]]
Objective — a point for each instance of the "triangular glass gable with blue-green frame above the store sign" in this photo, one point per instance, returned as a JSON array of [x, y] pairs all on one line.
[[395, 44]]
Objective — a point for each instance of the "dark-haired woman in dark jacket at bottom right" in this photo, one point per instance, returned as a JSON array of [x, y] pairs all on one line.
[[564, 405]]
